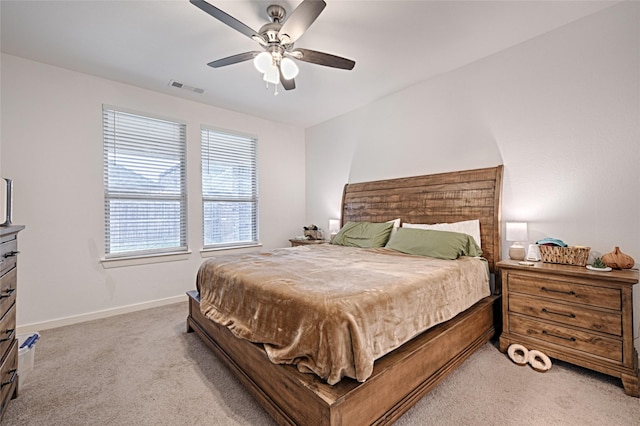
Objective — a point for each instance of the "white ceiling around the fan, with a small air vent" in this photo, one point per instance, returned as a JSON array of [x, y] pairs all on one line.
[[395, 44]]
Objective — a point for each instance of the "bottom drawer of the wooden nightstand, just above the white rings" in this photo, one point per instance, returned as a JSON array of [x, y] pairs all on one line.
[[590, 343]]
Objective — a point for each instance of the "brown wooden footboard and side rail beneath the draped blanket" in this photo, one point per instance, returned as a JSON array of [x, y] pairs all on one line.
[[399, 379]]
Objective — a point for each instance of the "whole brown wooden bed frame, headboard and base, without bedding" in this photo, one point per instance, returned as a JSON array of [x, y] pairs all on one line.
[[404, 376]]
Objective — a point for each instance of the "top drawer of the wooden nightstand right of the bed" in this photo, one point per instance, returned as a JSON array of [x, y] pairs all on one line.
[[566, 291]]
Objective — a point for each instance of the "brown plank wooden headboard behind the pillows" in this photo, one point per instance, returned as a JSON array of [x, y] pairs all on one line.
[[442, 197]]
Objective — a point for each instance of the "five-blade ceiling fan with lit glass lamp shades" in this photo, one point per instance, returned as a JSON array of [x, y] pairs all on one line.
[[277, 38]]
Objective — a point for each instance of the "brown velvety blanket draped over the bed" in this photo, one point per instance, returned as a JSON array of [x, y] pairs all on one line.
[[334, 310]]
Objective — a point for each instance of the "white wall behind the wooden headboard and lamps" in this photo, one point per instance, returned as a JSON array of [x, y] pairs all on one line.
[[561, 112]]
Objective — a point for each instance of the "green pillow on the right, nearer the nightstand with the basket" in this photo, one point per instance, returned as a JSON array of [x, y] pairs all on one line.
[[440, 244]]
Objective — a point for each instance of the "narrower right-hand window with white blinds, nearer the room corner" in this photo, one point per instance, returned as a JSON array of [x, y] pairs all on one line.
[[229, 189]]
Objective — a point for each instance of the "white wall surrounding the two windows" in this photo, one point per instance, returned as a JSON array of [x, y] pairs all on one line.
[[52, 148]]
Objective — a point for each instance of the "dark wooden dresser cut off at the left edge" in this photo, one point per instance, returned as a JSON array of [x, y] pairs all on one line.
[[8, 292]]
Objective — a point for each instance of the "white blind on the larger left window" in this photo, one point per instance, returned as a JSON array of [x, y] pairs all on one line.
[[145, 184]]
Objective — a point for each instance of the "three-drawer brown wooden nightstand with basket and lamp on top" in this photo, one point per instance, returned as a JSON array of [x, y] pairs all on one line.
[[572, 314]]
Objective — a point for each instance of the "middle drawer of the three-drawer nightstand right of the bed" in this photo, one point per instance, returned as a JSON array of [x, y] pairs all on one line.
[[577, 316]]
